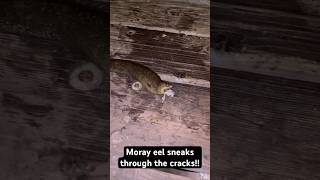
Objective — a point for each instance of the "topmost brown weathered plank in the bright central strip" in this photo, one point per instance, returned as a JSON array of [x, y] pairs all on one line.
[[186, 17]]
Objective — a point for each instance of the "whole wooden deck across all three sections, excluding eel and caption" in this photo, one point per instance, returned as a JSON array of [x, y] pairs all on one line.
[[264, 120]]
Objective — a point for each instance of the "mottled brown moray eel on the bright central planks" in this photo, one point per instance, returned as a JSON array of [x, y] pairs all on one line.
[[148, 78]]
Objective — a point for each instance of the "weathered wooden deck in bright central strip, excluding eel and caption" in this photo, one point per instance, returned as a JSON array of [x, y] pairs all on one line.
[[172, 38]]
